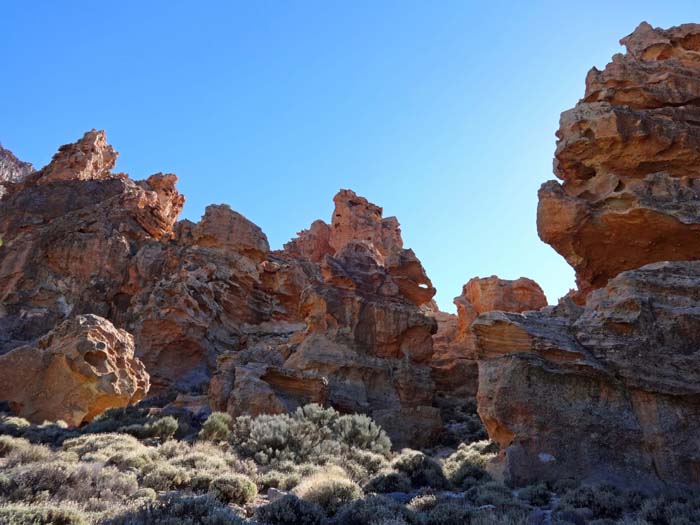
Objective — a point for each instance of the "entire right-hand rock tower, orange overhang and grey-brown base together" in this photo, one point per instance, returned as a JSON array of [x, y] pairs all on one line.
[[607, 388]]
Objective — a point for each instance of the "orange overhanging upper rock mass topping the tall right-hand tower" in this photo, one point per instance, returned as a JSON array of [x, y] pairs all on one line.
[[628, 157]]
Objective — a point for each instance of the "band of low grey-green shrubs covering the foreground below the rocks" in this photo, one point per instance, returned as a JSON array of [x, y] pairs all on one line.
[[310, 467]]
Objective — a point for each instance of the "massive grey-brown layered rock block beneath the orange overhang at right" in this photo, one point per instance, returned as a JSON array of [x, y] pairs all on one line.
[[608, 391]]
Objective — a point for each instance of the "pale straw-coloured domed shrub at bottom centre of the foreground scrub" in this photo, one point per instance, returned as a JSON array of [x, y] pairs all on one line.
[[328, 490]]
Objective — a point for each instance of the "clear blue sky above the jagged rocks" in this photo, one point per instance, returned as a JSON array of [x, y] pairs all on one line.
[[443, 112]]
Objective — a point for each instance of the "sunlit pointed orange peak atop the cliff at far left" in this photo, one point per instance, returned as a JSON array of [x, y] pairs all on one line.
[[89, 158]]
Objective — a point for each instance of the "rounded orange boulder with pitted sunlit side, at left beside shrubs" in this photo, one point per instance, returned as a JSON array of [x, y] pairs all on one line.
[[73, 373]]
